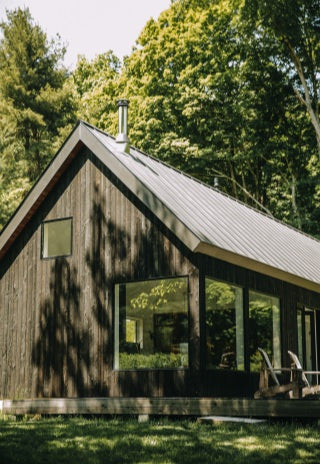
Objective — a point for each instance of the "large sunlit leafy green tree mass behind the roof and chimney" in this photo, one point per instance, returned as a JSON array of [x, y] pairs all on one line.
[[206, 97]]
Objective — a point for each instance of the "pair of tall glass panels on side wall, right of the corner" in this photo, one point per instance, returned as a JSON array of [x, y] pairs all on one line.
[[230, 344]]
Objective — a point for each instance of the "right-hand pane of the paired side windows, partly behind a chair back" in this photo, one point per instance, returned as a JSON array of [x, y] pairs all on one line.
[[264, 329]]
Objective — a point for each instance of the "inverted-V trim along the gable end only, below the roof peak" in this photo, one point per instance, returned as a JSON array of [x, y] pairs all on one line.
[[82, 136]]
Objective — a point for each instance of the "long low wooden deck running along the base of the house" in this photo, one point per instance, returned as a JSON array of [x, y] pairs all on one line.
[[165, 406]]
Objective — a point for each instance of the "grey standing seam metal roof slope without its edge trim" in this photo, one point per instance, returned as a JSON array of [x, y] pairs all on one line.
[[219, 220]]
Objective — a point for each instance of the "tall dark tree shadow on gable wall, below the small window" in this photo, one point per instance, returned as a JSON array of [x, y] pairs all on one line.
[[60, 351]]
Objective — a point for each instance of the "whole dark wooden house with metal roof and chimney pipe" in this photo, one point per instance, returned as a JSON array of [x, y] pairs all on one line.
[[123, 279]]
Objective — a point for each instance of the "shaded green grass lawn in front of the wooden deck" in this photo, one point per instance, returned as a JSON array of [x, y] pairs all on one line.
[[93, 441]]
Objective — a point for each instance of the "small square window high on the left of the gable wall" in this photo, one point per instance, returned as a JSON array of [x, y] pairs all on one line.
[[56, 238]]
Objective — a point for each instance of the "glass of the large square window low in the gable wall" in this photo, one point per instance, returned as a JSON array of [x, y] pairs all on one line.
[[151, 324]]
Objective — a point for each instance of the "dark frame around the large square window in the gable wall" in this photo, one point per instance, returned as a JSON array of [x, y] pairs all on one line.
[[150, 279]]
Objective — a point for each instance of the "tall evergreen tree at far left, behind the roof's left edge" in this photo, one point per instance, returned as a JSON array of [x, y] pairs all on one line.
[[36, 103]]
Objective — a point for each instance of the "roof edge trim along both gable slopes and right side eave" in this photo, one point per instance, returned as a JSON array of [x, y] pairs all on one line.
[[82, 136]]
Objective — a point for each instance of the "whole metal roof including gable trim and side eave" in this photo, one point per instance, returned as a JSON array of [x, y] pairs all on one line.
[[202, 217]]
